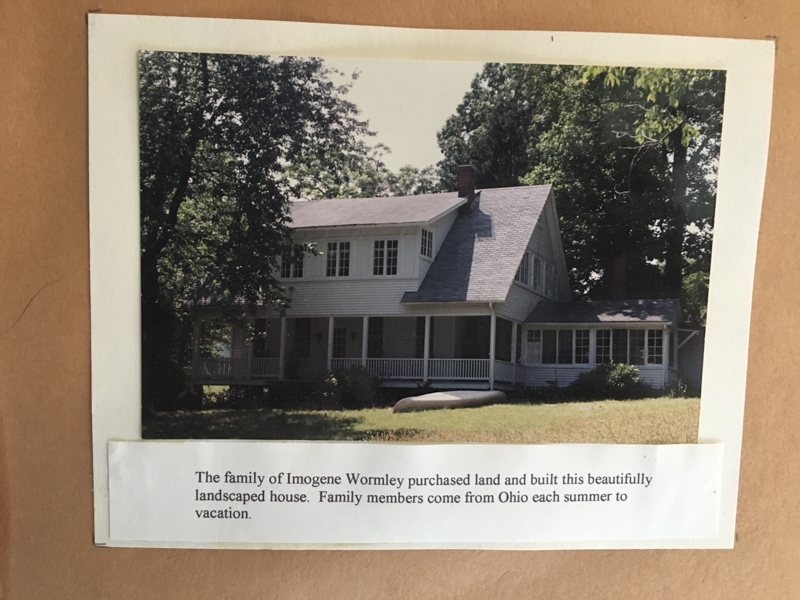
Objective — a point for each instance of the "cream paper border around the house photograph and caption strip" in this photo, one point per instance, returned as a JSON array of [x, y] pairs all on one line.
[[114, 41]]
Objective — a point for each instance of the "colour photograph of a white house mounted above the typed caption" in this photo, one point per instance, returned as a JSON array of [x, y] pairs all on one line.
[[423, 251]]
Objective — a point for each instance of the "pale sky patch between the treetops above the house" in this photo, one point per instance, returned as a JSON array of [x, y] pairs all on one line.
[[406, 103]]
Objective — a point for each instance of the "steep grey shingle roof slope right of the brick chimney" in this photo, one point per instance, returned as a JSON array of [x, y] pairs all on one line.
[[480, 255]]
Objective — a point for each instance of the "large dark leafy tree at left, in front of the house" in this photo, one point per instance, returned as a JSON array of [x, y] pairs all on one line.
[[219, 136]]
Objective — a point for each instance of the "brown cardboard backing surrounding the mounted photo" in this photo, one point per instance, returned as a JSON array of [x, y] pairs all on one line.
[[46, 548]]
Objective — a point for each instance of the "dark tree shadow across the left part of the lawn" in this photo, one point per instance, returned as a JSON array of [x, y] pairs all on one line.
[[260, 424]]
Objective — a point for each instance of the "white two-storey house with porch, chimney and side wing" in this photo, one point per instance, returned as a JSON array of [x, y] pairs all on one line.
[[465, 289]]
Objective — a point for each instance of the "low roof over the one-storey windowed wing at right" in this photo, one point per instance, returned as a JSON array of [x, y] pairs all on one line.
[[609, 311]]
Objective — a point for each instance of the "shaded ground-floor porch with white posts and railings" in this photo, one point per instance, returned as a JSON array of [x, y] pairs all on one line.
[[473, 351]]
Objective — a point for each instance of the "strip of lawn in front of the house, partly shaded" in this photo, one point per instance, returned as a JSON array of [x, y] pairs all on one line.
[[649, 421]]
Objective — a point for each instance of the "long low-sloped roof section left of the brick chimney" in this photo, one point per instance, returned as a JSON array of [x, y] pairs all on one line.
[[401, 210]]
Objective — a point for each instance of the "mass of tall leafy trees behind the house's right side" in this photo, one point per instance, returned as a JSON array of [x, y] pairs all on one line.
[[633, 172]]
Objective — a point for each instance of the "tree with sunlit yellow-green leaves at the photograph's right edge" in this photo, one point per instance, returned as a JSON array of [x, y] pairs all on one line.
[[679, 114]]
